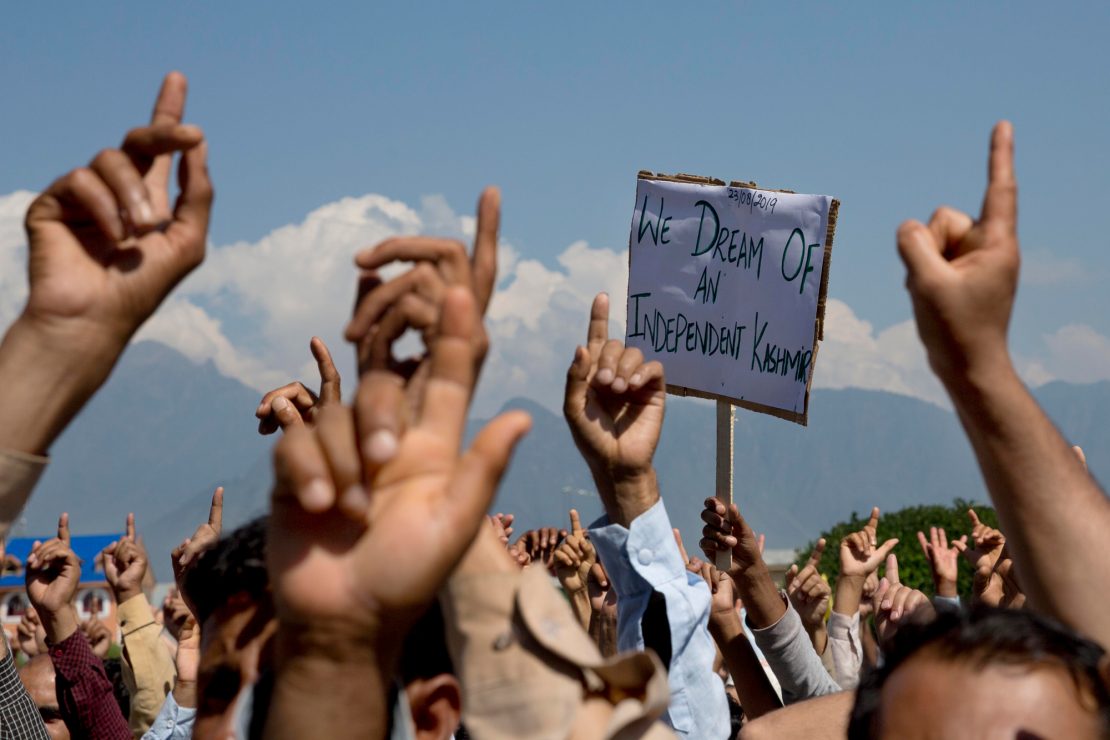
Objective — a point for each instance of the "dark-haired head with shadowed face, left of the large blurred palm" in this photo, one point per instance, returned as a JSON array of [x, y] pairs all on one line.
[[230, 589]]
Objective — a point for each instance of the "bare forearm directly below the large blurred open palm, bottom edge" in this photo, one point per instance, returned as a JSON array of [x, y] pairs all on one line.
[[325, 692]]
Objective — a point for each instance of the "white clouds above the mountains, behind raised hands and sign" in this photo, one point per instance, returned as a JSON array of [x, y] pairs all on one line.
[[254, 306]]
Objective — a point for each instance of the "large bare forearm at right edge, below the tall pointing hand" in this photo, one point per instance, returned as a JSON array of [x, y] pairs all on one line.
[[1046, 501]]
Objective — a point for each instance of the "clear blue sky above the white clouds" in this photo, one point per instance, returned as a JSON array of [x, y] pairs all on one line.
[[885, 106]]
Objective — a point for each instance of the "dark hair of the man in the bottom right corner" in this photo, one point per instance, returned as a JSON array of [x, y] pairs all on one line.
[[981, 638]]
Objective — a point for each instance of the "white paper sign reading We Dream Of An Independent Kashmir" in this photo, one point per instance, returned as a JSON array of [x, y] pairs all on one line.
[[724, 286]]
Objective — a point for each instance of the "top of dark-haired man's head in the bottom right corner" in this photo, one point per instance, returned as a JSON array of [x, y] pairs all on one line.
[[1000, 673]]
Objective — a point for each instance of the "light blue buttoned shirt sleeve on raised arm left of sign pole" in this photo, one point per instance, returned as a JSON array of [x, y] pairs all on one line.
[[645, 559]]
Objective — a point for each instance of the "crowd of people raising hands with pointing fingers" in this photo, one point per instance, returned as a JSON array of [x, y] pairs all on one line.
[[379, 597]]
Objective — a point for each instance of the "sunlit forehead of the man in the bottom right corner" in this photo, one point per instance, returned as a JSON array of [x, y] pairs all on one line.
[[929, 697]]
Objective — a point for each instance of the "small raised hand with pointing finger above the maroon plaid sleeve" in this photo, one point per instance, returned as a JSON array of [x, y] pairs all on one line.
[[54, 573]]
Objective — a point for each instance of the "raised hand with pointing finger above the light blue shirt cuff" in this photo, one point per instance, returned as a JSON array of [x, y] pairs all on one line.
[[614, 406]]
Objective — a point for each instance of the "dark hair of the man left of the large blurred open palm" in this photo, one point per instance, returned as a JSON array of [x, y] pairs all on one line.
[[237, 565]]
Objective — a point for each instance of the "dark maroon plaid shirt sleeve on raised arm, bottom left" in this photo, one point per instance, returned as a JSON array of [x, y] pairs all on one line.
[[85, 694]]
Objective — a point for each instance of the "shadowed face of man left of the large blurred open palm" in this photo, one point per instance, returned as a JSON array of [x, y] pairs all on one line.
[[235, 650]]
